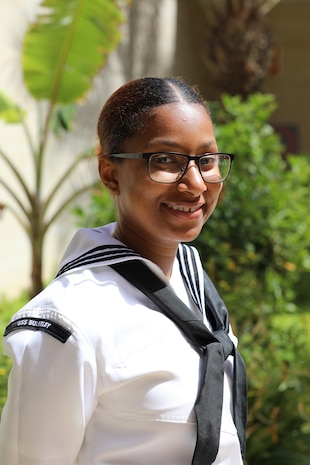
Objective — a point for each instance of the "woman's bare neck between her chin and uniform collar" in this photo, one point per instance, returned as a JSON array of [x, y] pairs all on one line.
[[162, 255]]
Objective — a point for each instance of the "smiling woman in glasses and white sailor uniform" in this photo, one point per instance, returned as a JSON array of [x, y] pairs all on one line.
[[101, 376]]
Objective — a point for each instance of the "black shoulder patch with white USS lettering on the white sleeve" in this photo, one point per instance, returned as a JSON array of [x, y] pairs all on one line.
[[39, 324]]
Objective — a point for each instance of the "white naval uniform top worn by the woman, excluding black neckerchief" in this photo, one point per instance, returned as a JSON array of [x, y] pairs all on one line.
[[120, 390]]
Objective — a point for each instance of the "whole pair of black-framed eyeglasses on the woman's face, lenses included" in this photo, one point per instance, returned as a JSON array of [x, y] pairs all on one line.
[[170, 167]]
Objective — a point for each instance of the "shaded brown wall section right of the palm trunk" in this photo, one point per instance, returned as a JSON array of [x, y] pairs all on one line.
[[290, 22]]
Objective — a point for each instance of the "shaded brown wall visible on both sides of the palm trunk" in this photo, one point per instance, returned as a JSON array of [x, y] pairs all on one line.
[[290, 21]]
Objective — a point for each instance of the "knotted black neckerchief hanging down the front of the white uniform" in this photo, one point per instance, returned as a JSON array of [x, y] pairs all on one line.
[[213, 348]]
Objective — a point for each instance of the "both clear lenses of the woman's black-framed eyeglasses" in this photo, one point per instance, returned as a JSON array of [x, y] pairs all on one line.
[[169, 168]]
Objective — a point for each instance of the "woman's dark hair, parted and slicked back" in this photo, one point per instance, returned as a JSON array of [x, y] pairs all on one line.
[[123, 115]]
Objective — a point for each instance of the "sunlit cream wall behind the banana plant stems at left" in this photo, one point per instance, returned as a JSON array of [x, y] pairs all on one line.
[[144, 58]]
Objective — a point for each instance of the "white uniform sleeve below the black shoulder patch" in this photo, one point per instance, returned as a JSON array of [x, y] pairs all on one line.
[[51, 396]]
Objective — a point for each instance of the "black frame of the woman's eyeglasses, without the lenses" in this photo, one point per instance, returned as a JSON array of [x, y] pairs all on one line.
[[196, 158]]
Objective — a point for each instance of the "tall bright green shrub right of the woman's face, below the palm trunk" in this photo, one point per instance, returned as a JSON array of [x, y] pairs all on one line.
[[256, 245]]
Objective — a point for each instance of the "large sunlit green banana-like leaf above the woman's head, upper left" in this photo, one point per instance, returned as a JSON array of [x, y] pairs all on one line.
[[67, 45]]
